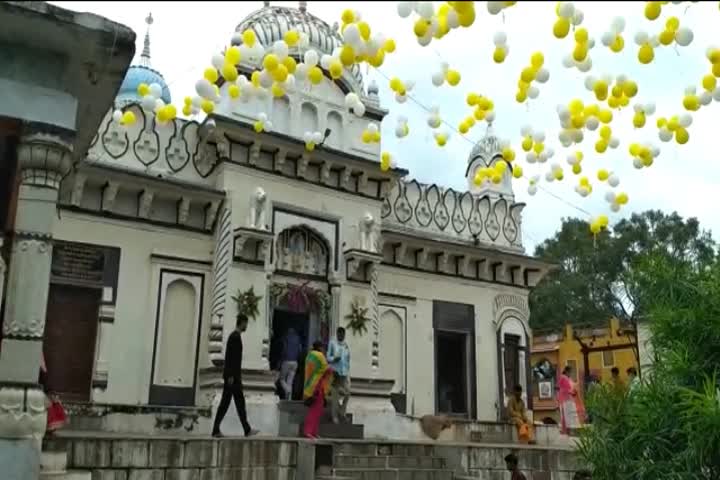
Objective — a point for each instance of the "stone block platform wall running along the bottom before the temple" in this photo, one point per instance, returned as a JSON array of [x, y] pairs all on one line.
[[105, 456]]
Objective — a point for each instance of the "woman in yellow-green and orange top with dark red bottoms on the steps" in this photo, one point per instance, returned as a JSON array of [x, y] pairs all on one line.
[[318, 376]]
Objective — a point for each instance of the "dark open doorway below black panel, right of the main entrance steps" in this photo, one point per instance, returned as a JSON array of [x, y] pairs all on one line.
[[451, 353]]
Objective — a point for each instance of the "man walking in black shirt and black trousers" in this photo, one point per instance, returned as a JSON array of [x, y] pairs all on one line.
[[232, 380]]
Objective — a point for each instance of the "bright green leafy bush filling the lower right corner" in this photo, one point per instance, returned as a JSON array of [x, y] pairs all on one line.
[[668, 427]]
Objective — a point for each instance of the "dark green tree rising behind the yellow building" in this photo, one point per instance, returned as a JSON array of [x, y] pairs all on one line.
[[592, 284]]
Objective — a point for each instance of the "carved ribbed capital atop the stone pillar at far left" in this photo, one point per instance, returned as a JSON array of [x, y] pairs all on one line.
[[44, 159]]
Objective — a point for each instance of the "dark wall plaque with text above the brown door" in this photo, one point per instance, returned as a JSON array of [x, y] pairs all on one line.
[[78, 263]]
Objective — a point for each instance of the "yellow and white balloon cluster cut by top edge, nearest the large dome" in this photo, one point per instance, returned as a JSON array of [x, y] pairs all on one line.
[[431, 24]]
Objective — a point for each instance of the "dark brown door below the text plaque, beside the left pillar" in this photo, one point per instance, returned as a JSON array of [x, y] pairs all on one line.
[[70, 339]]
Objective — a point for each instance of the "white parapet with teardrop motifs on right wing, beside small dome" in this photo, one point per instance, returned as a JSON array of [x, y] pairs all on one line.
[[430, 209]]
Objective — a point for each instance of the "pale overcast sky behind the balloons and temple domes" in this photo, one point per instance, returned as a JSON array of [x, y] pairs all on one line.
[[684, 178]]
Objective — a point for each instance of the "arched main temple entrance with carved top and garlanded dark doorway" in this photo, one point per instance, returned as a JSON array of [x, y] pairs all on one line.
[[299, 294]]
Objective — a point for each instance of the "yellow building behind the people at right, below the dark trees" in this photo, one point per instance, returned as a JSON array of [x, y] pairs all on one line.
[[605, 348]]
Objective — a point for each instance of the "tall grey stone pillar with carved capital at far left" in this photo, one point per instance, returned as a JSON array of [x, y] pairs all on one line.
[[43, 160]]
